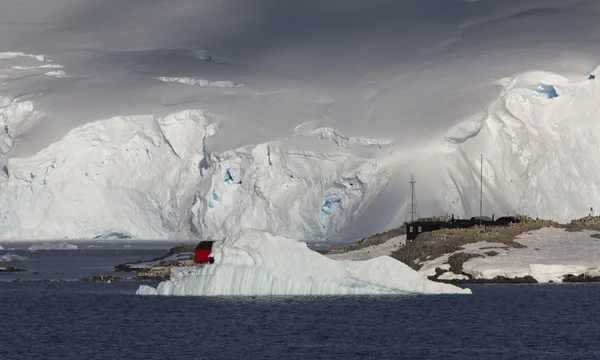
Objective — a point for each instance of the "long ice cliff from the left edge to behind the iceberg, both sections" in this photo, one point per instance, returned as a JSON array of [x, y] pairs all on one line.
[[154, 177]]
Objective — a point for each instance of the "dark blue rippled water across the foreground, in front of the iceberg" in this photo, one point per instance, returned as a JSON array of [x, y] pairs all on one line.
[[77, 320]]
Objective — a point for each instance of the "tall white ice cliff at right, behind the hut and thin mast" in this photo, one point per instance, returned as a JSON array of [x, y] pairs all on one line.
[[539, 146]]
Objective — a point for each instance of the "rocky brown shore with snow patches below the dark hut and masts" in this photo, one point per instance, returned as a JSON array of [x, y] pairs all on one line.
[[528, 252]]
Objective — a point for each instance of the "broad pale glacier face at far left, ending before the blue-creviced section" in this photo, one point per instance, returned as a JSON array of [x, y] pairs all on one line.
[[127, 175]]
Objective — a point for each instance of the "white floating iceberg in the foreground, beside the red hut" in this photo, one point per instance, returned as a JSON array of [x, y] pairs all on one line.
[[257, 263]]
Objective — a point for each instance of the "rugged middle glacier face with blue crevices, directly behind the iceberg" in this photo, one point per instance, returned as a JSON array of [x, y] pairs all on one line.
[[298, 194]]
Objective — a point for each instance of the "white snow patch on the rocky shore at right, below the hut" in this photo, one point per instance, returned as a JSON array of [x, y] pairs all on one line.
[[550, 255]]
